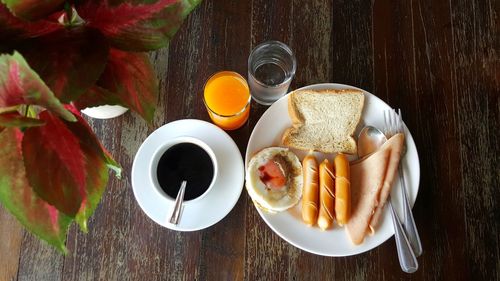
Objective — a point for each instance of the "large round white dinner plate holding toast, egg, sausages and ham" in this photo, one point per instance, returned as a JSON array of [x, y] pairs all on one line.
[[288, 224]]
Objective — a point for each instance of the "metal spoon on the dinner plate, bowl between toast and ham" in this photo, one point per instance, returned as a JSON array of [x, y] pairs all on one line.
[[369, 140]]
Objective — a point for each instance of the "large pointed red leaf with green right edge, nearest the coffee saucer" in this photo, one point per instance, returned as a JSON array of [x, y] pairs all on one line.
[[78, 164]]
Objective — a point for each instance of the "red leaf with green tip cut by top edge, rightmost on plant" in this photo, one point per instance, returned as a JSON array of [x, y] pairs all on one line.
[[140, 25]]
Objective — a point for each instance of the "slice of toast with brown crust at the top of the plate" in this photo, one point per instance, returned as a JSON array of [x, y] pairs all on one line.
[[324, 120]]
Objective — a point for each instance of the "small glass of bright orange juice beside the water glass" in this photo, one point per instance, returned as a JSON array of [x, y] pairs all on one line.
[[227, 98]]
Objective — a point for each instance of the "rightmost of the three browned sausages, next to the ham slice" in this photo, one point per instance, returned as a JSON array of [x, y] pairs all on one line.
[[342, 189]]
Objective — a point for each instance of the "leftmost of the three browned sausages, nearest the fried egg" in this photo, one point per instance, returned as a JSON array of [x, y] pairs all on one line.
[[310, 193]]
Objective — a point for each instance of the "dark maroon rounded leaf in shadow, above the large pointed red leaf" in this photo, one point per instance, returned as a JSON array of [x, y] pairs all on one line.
[[70, 60]]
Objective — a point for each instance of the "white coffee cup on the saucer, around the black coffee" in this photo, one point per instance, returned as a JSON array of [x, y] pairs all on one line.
[[153, 166]]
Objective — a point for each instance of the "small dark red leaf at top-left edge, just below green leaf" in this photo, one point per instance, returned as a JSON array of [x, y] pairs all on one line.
[[12, 28]]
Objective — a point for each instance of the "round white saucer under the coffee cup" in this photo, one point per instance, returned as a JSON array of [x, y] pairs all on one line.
[[217, 203]]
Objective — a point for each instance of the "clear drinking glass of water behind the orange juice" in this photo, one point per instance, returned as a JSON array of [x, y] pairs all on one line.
[[271, 67]]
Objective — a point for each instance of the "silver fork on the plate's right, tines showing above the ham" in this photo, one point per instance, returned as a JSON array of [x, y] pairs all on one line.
[[394, 124]]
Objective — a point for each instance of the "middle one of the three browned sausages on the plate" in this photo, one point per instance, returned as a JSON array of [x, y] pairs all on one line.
[[326, 195]]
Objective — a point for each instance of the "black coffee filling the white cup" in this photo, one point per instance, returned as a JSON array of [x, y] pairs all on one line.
[[189, 162]]
